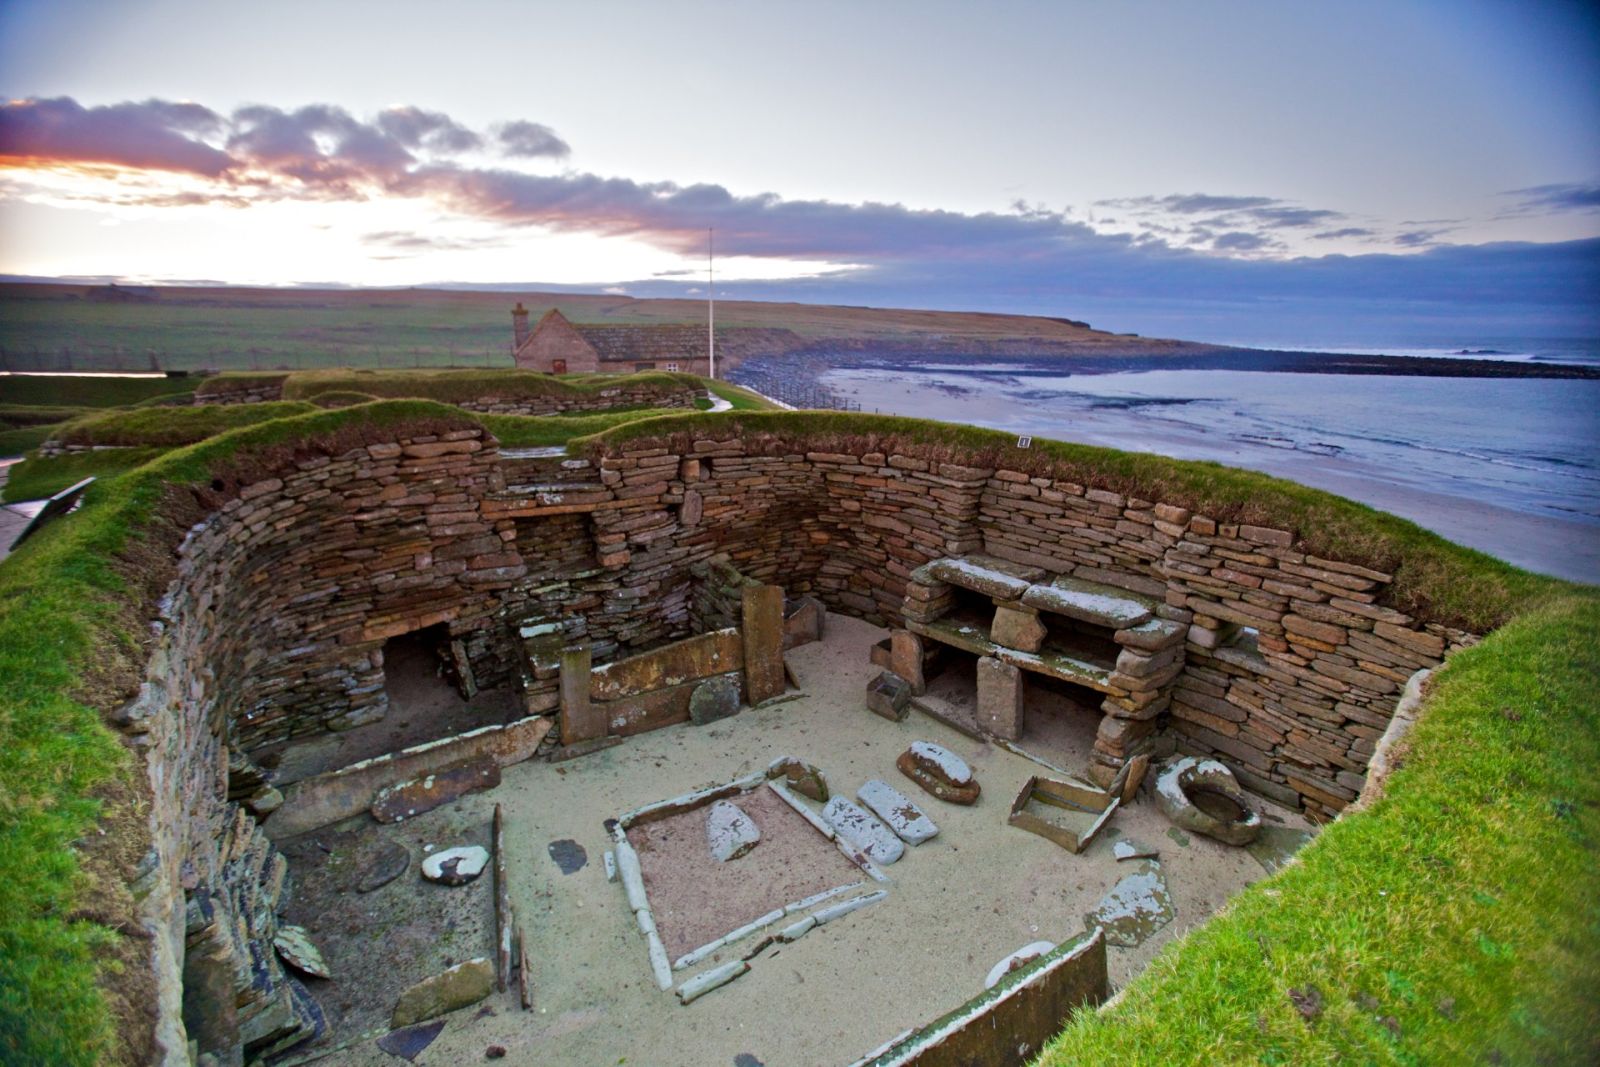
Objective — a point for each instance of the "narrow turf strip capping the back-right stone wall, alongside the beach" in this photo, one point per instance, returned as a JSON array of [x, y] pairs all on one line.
[[1434, 578]]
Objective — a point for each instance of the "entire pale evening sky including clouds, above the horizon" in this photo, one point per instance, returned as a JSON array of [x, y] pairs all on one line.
[[1233, 172]]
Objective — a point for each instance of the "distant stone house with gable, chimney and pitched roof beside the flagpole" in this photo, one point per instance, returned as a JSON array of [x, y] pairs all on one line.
[[558, 346]]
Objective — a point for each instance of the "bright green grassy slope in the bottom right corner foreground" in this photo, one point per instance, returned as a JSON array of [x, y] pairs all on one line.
[[1457, 922]]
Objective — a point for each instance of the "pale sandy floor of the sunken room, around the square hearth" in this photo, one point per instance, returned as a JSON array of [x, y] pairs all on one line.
[[958, 905]]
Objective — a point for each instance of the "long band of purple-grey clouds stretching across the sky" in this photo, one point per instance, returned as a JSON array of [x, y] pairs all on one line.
[[1028, 262]]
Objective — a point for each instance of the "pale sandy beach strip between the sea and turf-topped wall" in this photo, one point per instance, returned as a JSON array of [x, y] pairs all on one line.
[[1538, 543]]
